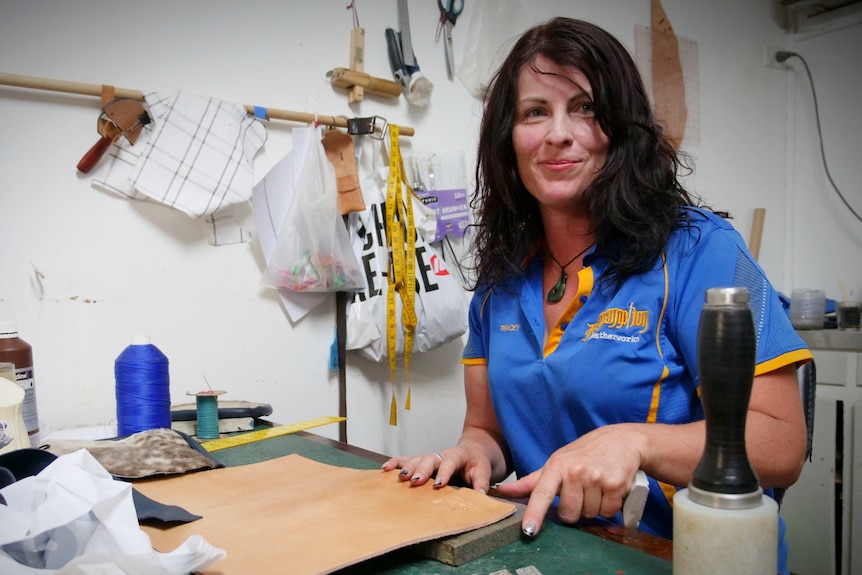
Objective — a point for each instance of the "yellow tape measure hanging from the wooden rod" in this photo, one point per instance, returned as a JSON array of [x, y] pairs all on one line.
[[401, 241]]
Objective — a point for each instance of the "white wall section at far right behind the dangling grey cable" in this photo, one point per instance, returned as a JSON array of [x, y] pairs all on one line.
[[826, 239]]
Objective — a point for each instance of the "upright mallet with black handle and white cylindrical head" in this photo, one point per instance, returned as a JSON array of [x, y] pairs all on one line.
[[724, 510]]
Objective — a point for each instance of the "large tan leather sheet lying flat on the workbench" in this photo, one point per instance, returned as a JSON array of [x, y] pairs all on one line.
[[311, 517]]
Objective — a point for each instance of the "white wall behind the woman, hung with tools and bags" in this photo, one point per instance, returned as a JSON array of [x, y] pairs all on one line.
[[113, 268]]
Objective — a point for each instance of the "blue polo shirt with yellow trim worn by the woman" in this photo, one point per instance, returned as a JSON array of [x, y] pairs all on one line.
[[617, 356]]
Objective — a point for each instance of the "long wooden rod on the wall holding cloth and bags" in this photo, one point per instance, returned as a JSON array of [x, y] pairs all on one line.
[[22, 81]]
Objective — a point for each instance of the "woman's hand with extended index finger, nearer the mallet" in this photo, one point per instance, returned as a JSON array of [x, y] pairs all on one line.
[[592, 476]]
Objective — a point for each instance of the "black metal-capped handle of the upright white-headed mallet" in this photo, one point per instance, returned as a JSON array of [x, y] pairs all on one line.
[[726, 353]]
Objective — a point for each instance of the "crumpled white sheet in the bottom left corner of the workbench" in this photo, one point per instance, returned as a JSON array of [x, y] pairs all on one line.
[[74, 518]]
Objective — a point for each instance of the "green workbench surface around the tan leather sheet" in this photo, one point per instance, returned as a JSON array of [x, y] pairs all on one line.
[[556, 550]]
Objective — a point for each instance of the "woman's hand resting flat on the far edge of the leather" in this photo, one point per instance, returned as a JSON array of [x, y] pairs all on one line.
[[466, 462]]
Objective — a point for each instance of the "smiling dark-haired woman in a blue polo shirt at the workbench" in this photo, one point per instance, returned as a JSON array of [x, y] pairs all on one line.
[[592, 265]]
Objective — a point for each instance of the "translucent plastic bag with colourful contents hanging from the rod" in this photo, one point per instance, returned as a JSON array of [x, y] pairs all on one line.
[[313, 251]]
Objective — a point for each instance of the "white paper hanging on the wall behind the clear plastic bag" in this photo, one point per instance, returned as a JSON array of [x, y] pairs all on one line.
[[271, 198]]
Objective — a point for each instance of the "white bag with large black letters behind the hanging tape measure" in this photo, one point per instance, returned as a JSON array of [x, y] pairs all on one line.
[[441, 302]]
